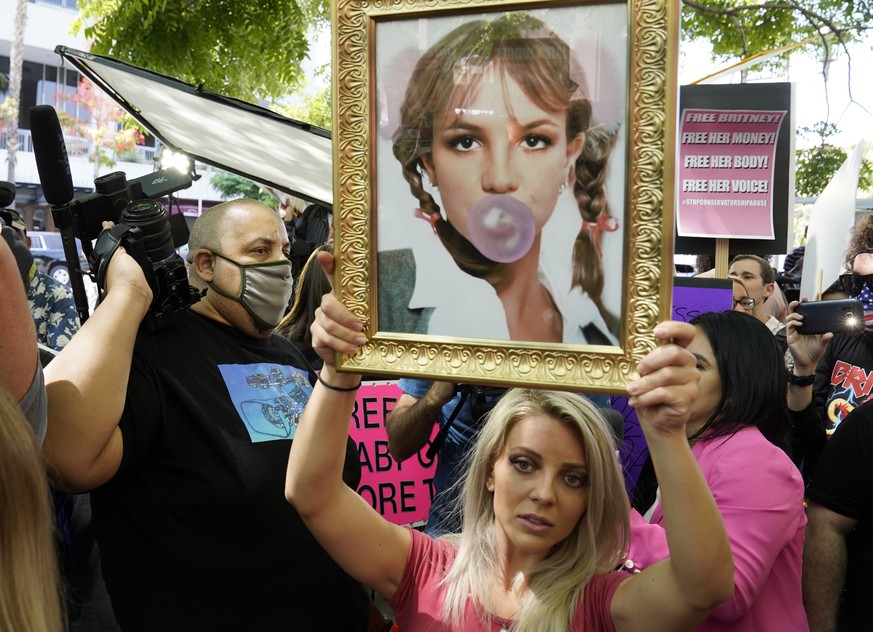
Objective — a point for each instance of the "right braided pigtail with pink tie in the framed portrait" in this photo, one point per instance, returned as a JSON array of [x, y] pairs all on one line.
[[589, 191]]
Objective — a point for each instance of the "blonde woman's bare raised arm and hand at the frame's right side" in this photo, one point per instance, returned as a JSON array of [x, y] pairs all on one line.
[[678, 593]]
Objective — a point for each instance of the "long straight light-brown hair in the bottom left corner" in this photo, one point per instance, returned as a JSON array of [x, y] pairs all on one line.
[[30, 593]]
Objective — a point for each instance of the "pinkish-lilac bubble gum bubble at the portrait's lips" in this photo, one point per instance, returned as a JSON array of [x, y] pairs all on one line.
[[501, 227]]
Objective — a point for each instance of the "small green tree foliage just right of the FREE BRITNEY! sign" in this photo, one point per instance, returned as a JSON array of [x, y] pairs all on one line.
[[817, 165]]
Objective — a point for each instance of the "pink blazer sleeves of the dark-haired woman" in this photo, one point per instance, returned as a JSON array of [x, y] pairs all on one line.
[[760, 495]]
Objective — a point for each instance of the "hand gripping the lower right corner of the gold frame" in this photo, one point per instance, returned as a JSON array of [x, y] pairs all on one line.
[[667, 386]]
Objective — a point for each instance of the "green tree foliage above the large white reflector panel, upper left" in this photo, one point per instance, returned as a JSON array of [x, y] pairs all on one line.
[[248, 49]]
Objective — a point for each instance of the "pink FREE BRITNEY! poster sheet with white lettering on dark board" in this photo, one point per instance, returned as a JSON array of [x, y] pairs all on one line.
[[726, 166]]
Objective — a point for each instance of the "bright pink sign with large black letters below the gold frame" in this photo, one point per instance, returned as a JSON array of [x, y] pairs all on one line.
[[401, 492]]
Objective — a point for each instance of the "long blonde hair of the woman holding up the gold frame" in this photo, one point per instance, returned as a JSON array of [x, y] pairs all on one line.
[[597, 545]]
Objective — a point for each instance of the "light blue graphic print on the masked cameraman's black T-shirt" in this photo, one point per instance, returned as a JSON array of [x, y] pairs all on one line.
[[268, 397]]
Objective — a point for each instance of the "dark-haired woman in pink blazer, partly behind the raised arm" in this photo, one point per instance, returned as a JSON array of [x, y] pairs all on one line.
[[739, 432]]
